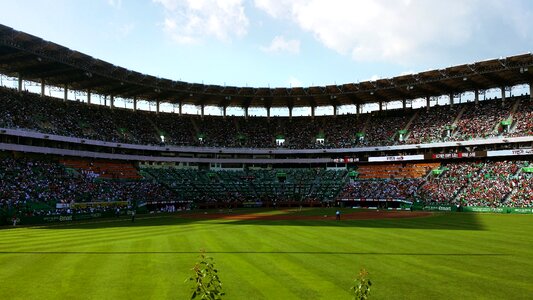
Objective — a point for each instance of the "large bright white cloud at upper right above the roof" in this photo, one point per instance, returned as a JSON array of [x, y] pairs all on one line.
[[404, 31]]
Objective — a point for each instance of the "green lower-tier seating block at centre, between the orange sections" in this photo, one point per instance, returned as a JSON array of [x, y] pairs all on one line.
[[252, 185]]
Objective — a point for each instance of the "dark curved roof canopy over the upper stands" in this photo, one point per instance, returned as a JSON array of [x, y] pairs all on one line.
[[32, 58]]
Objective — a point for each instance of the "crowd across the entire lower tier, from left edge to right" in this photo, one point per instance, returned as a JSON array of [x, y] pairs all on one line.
[[34, 186]]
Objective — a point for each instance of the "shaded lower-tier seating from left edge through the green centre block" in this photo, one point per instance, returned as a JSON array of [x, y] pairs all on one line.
[[35, 185]]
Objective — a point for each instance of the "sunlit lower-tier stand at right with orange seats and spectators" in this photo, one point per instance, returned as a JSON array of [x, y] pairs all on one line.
[[481, 183]]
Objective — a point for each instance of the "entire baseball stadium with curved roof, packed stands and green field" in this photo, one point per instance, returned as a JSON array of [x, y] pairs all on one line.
[[101, 198]]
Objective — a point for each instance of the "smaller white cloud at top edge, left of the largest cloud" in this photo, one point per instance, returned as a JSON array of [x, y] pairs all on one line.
[[191, 21]]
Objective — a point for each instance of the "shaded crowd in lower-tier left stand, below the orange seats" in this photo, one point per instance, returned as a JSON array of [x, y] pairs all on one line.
[[34, 186]]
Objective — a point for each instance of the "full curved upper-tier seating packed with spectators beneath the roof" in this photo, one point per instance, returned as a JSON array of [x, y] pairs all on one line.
[[441, 123]]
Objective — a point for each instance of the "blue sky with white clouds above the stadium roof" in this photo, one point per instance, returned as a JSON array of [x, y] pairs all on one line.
[[280, 43]]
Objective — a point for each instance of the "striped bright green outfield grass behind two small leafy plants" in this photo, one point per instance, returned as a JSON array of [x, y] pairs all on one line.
[[445, 256]]
